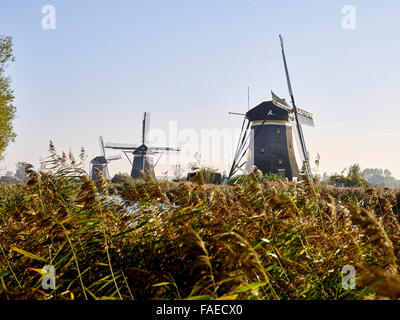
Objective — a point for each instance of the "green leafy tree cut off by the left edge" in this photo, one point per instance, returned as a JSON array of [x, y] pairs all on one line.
[[7, 109]]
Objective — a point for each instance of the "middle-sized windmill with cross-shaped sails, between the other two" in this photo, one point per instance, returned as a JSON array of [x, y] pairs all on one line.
[[142, 154]]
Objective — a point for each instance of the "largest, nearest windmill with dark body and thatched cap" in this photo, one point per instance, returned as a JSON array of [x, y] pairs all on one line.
[[267, 136]]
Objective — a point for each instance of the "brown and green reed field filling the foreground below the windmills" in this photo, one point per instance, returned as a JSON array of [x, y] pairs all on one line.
[[254, 239]]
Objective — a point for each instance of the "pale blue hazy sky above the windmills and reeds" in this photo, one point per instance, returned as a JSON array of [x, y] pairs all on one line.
[[191, 62]]
